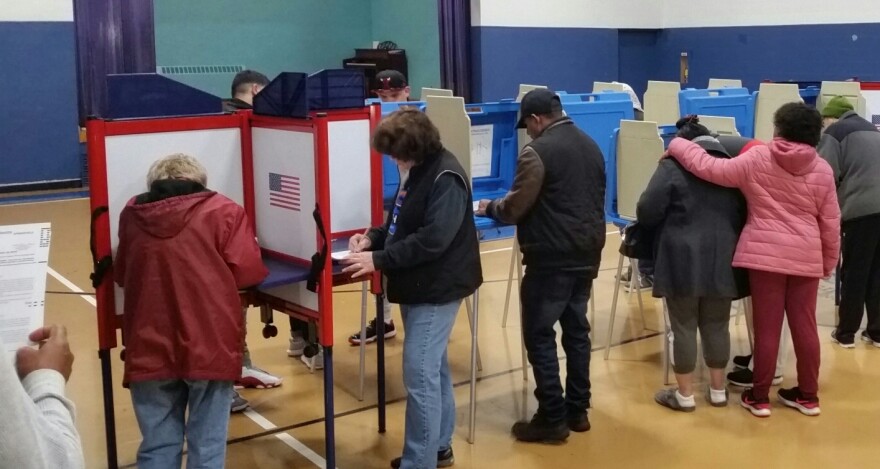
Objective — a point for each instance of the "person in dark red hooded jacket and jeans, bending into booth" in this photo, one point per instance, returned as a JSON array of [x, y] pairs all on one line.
[[184, 252]]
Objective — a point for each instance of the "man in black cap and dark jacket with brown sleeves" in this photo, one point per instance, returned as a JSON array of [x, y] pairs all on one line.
[[557, 202]]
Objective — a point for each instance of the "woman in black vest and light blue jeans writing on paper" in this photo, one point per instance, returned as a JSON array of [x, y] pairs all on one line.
[[429, 253]]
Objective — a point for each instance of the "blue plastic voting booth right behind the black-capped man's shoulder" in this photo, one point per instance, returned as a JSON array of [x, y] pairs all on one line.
[[598, 114]]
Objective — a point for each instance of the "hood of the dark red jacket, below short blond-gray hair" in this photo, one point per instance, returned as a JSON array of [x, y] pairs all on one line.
[[168, 217]]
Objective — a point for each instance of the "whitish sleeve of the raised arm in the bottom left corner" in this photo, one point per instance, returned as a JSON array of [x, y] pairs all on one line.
[[36, 421]]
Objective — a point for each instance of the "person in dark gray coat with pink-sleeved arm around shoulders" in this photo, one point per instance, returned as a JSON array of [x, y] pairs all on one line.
[[697, 225]]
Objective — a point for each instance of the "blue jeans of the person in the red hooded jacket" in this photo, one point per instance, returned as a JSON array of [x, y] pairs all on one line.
[[160, 408]]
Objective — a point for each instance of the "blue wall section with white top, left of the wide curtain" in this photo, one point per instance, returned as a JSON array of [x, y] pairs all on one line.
[[39, 140]]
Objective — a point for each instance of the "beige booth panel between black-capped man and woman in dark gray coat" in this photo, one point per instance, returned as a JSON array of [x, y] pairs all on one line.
[[639, 148]]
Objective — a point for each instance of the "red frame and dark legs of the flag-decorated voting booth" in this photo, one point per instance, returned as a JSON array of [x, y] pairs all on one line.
[[317, 124]]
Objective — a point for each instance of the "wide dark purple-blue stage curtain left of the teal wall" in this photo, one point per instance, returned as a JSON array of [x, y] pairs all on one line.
[[111, 37]]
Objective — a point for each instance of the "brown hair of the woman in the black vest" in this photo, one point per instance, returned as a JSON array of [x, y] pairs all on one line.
[[407, 135]]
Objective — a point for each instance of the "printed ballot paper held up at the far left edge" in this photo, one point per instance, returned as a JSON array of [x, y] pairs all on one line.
[[24, 256]]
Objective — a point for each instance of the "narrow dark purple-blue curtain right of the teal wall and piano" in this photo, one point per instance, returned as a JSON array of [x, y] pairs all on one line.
[[455, 46]]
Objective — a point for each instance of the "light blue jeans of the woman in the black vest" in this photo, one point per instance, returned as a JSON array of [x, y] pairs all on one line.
[[430, 402]]
